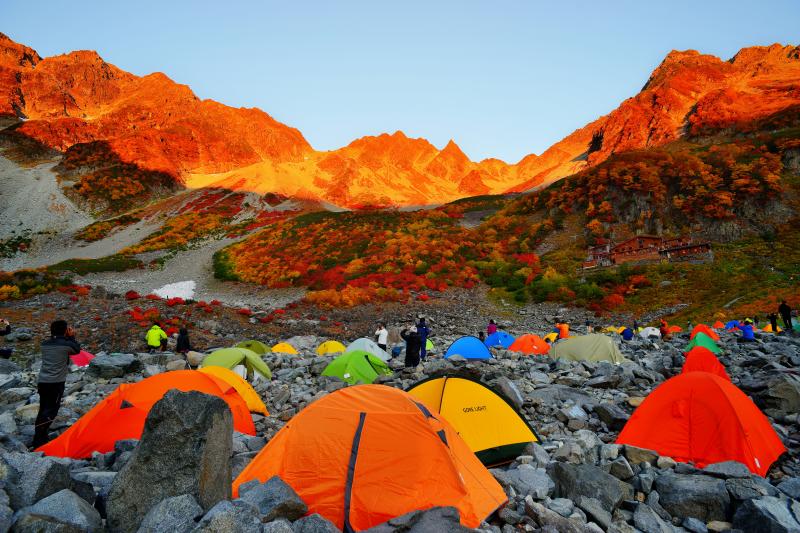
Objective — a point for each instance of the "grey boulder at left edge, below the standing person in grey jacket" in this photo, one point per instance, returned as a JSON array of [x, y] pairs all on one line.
[[34, 478]]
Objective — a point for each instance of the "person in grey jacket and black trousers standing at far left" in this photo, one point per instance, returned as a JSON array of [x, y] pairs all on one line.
[[52, 377]]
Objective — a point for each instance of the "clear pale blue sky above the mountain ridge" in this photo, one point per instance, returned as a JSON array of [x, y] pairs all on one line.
[[503, 79]]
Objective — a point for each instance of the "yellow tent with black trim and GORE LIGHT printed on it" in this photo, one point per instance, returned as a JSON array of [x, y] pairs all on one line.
[[487, 422]]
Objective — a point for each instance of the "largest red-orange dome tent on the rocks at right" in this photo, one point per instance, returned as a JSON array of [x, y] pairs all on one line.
[[701, 418]]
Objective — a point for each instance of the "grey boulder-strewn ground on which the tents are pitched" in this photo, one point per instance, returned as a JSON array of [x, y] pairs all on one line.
[[576, 479]]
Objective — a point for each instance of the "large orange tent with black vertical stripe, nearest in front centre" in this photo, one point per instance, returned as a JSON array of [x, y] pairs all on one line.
[[365, 454]]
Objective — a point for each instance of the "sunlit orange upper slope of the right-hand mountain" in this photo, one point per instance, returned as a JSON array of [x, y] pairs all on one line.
[[689, 94]]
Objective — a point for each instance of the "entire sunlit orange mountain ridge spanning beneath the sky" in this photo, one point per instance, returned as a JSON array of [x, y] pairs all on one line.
[[160, 125]]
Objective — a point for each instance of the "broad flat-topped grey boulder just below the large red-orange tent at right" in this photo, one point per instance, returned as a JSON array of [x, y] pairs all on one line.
[[702, 497]]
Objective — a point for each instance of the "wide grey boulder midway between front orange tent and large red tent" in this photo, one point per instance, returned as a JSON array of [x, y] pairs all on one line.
[[573, 481]]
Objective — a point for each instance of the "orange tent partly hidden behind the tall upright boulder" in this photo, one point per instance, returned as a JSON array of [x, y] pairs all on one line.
[[122, 414]]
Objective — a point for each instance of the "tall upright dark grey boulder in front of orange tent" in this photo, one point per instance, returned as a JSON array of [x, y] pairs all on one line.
[[185, 449]]
